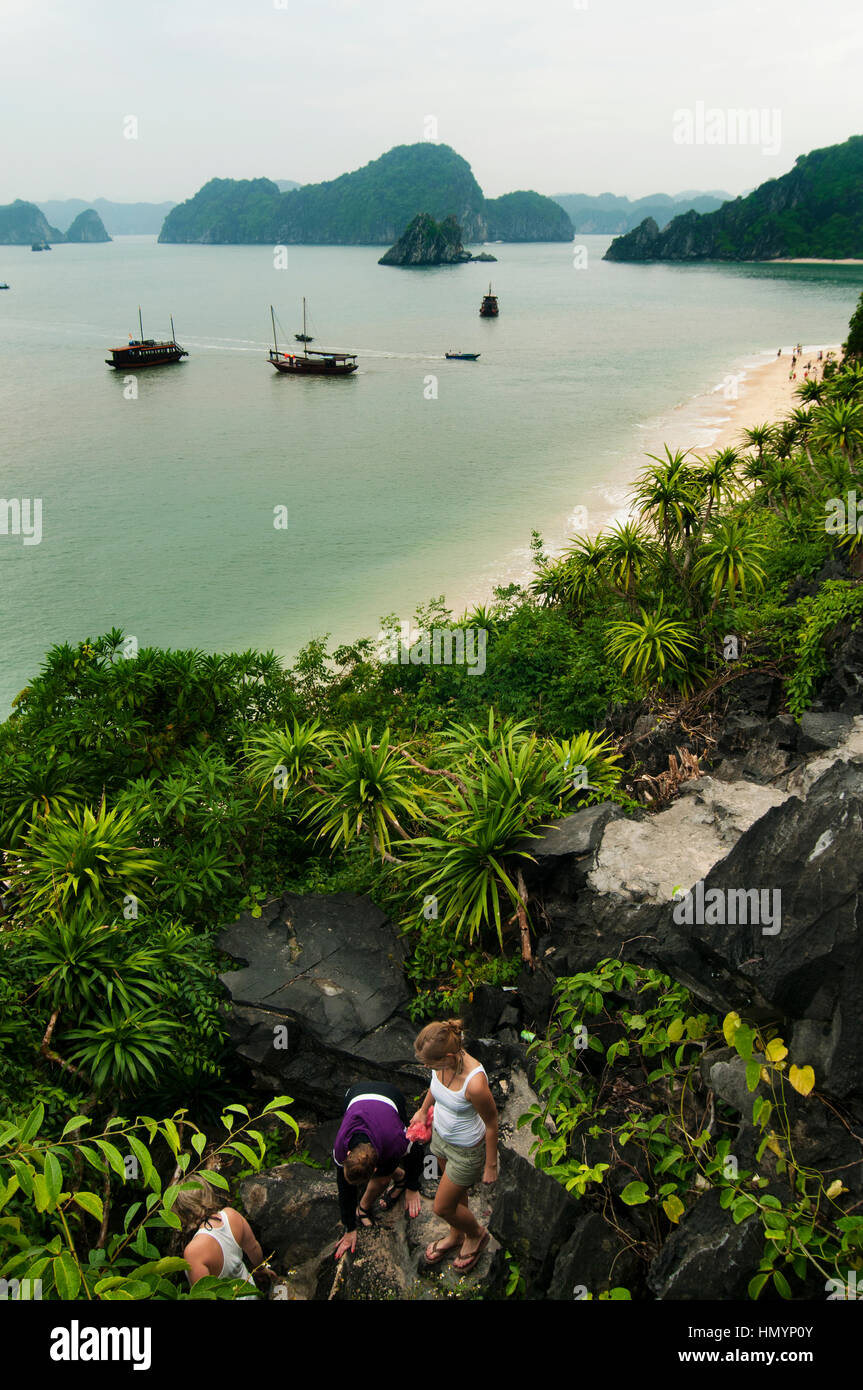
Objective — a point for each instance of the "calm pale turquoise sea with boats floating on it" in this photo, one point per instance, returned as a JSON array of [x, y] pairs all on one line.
[[415, 477]]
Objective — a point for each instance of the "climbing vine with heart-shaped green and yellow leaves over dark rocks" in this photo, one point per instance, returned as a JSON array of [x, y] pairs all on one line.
[[622, 1078]]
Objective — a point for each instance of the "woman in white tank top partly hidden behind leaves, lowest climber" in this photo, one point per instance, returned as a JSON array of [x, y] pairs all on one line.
[[220, 1238]]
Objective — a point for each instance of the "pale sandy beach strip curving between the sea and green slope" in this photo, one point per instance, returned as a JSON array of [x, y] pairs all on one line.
[[757, 391]]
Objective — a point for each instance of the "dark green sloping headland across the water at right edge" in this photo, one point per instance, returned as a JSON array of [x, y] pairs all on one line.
[[815, 211]]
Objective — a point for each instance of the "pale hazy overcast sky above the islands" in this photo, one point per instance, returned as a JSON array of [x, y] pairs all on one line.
[[555, 95]]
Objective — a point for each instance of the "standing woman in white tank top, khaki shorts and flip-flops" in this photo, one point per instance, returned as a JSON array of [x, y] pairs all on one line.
[[465, 1138]]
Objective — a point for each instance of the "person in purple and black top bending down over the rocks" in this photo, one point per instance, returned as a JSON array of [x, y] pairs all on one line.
[[372, 1152]]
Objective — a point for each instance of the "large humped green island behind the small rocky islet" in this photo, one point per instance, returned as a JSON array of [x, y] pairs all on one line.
[[369, 208]]
